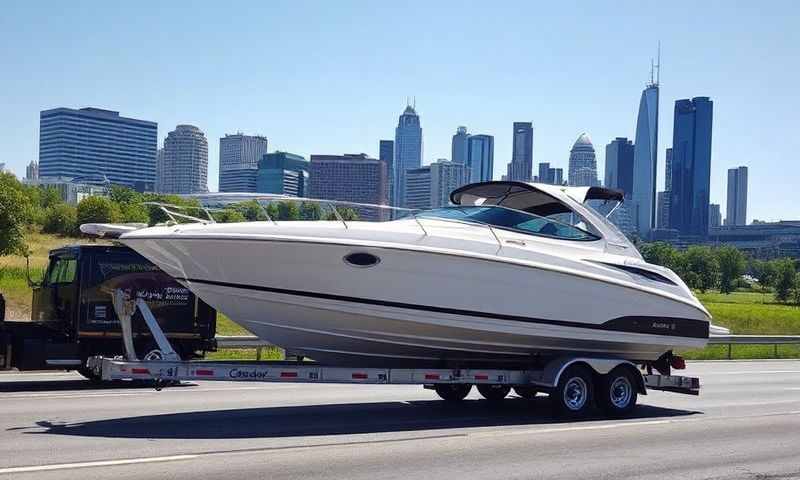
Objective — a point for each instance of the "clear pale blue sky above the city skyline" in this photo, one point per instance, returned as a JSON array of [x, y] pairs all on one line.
[[333, 76]]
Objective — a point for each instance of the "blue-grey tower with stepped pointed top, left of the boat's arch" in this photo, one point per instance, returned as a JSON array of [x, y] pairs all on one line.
[[407, 150]]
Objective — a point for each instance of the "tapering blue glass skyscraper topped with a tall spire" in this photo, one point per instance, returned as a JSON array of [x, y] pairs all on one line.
[[645, 160]]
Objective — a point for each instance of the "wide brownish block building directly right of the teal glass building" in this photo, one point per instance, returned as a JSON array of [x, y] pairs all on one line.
[[350, 178]]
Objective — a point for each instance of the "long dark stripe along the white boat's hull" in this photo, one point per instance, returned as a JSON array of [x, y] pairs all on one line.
[[665, 326]]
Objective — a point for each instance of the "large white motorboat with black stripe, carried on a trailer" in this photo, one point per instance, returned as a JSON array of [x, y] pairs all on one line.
[[510, 274]]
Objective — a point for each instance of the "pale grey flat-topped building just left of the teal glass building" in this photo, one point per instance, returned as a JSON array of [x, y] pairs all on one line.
[[239, 155]]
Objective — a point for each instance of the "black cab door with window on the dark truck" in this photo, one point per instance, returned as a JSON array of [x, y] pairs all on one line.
[[55, 299]]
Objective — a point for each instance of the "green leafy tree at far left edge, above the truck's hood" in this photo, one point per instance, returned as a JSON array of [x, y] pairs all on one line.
[[15, 215]]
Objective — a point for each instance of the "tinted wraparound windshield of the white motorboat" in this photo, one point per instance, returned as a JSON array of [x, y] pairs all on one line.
[[510, 219]]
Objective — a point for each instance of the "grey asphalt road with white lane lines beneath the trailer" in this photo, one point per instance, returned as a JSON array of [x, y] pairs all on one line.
[[745, 424]]
